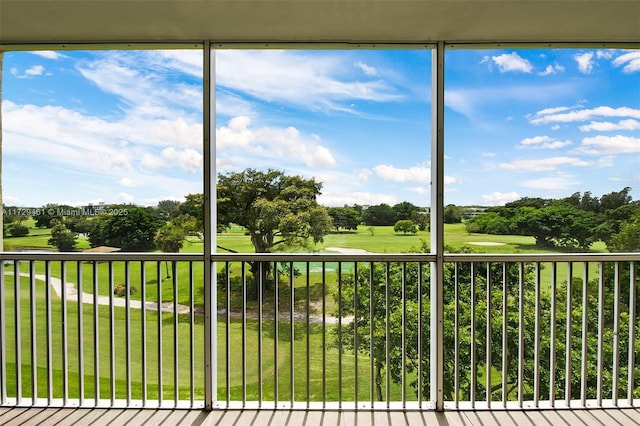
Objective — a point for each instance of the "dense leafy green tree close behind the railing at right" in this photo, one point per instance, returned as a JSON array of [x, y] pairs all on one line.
[[398, 297]]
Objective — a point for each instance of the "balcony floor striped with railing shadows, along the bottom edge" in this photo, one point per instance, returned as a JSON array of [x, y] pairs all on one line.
[[103, 416]]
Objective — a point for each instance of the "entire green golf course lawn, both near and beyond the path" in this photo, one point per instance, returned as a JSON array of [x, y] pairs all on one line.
[[81, 343]]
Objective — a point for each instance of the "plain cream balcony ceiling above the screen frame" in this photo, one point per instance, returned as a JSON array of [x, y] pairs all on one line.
[[351, 21]]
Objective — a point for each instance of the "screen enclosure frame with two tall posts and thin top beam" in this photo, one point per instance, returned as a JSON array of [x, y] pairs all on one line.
[[436, 143]]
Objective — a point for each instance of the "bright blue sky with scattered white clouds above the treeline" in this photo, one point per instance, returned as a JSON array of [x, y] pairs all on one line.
[[126, 126]]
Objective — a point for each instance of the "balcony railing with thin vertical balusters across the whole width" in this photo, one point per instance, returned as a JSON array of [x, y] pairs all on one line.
[[320, 331]]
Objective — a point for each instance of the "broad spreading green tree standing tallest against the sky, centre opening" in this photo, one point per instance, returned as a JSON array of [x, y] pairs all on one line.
[[275, 209]]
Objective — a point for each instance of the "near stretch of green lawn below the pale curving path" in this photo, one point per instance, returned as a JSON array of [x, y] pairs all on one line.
[[316, 362]]
